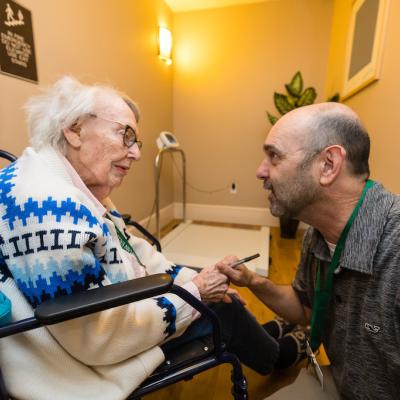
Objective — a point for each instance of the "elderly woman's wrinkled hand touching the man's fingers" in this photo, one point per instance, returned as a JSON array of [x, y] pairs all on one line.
[[212, 284]]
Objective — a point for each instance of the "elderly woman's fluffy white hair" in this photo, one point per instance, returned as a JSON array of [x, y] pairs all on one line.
[[60, 106]]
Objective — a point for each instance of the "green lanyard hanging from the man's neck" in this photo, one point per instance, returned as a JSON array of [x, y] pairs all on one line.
[[322, 295]]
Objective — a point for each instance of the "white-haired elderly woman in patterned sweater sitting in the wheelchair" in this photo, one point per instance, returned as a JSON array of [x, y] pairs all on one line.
[[60, 234]]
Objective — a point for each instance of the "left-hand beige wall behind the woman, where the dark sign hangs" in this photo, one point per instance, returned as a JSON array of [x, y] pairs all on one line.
[[100, 41]]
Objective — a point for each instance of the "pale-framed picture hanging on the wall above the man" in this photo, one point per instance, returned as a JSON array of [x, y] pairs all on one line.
[[365, 44]]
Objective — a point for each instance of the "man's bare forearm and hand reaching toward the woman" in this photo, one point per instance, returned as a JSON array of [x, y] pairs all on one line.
[[283, 300]]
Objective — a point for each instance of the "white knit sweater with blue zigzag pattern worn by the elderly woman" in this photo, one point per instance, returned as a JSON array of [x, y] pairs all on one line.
[[54, 242]]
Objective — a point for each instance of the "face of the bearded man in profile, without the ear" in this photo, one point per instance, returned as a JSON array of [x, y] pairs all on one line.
[[291, 183]]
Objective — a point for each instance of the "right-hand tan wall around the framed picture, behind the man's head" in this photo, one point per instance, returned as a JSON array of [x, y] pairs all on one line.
[[377, 103]]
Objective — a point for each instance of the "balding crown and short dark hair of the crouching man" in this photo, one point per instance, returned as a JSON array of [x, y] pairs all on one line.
[[326, 124]]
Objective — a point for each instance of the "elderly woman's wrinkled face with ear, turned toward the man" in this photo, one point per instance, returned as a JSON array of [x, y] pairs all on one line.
[[96, 148]]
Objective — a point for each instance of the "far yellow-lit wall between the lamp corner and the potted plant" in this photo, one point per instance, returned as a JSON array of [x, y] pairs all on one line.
[[227, 64]]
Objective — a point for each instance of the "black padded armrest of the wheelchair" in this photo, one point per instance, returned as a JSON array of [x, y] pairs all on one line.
[[79, 304]]
